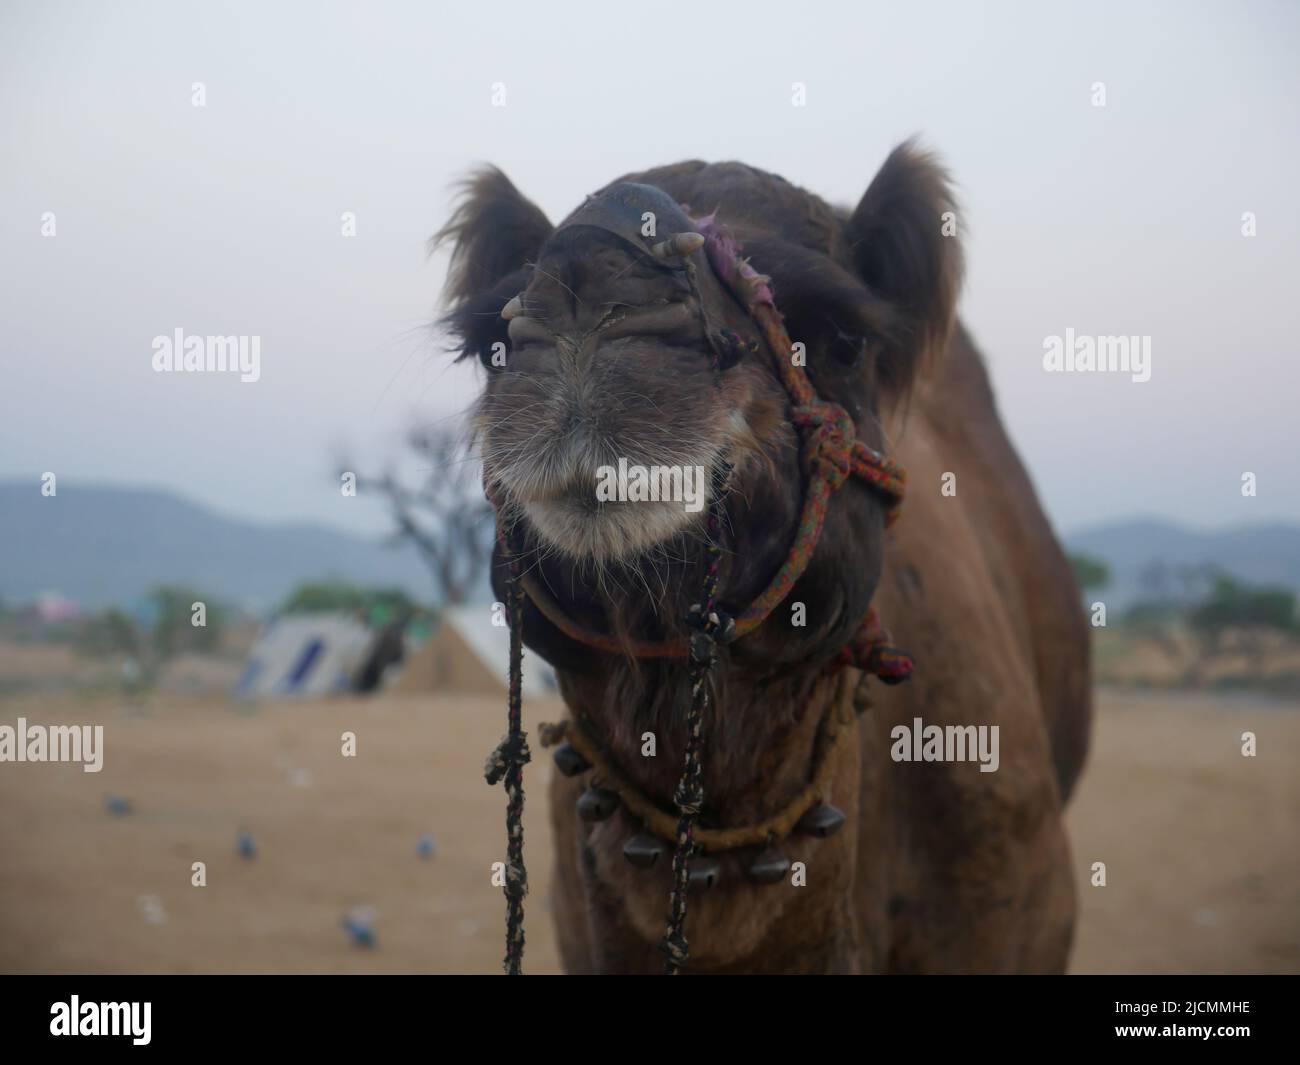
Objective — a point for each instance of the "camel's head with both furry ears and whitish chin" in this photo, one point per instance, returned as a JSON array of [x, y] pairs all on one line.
[[627, 384]]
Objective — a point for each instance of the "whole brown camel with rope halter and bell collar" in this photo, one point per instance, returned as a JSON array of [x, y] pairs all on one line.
[[635, 332]]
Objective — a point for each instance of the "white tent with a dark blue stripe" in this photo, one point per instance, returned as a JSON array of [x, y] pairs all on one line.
[[306, 655]]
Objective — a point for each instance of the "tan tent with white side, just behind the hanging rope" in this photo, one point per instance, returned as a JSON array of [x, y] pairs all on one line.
[[469, 655]]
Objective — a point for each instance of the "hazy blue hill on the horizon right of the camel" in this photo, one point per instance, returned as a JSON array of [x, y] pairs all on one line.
[[1259, 555]]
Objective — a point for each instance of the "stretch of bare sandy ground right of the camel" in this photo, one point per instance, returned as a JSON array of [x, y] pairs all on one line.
[[1202, 846]]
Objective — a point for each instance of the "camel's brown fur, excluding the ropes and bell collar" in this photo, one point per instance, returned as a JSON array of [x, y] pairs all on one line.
[[941, 868]]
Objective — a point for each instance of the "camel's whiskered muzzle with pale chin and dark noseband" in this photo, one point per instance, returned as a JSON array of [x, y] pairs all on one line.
[[616, 415]]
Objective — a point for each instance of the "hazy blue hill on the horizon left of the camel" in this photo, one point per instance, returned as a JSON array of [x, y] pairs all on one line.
[[110, 546]]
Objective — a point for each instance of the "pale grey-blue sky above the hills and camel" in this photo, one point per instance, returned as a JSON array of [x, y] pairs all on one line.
[[1124, 219]]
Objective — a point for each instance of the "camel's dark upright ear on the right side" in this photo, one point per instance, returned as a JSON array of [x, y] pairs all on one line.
[[902, 253]]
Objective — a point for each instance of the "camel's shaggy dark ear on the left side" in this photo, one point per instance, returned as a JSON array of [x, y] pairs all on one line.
[[496, 235]]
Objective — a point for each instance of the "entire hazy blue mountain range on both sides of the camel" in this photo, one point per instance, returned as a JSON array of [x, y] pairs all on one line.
[[103, 546]]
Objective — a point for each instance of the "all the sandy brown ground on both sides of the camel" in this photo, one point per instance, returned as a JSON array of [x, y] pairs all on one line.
[[1201, 845]]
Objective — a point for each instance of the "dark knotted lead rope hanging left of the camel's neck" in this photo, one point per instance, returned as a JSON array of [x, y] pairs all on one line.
[[508, 763]]
